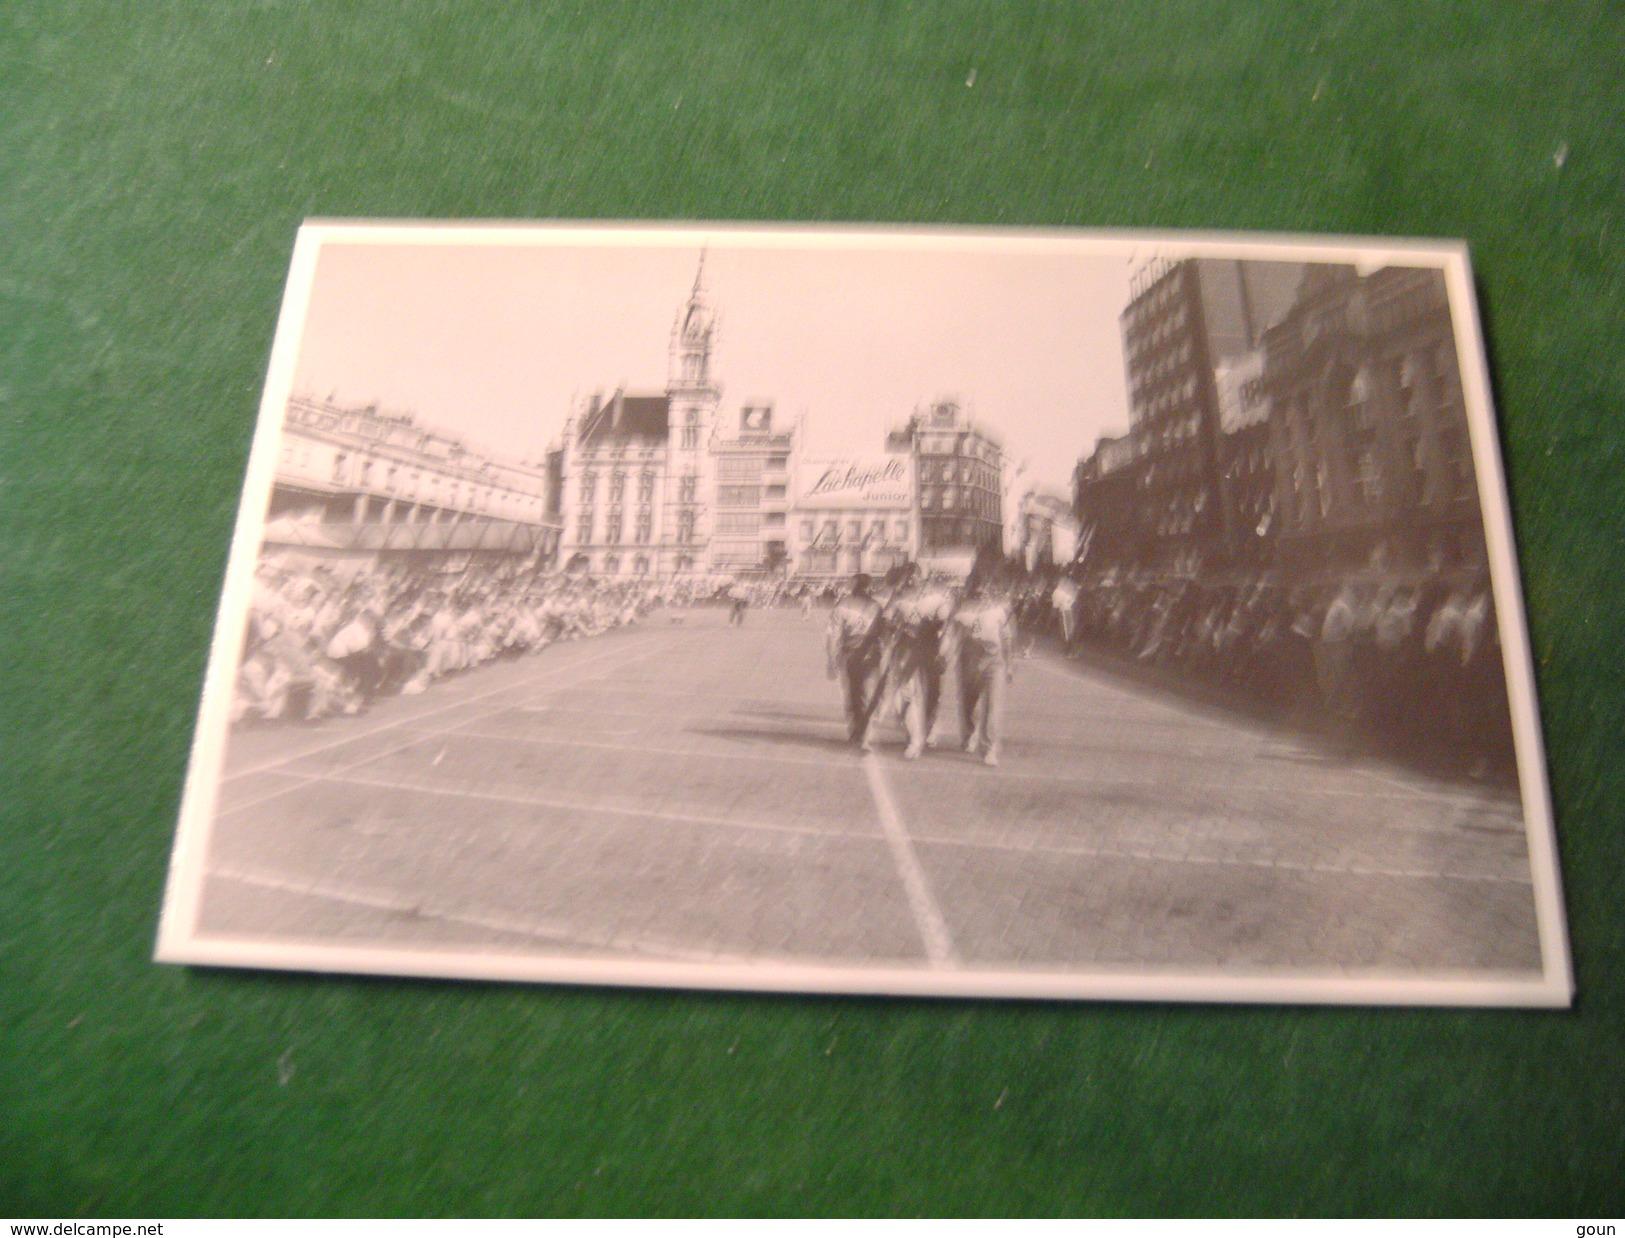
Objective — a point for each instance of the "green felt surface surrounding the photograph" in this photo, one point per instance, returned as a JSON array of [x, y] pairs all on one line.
[[155, 162]]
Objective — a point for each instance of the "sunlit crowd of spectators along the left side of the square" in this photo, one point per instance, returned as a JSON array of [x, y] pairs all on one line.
[[324, 644]]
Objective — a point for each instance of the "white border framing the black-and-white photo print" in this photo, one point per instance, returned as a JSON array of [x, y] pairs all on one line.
[[180, 943]]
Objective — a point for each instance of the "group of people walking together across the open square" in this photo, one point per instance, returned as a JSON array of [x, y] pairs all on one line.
[[891, 654]]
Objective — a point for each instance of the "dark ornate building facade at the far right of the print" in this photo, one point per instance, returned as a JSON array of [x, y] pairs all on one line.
[[1371, 443]]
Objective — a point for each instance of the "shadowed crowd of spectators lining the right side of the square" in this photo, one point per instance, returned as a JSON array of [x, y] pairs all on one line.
[[1408, 665]]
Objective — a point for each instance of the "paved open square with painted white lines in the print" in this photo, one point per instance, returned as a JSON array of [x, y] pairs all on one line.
[[683, 792]]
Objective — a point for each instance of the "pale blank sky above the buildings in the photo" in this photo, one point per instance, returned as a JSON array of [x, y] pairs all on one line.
[[498, 342]]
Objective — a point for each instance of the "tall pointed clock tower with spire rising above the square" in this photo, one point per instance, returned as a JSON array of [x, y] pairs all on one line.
[[693, 396]]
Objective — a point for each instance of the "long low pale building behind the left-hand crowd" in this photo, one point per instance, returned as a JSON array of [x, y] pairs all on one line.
[[362, 485]]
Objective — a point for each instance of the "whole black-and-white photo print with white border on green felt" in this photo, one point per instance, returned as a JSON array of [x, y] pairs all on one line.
[[856, 610]]
